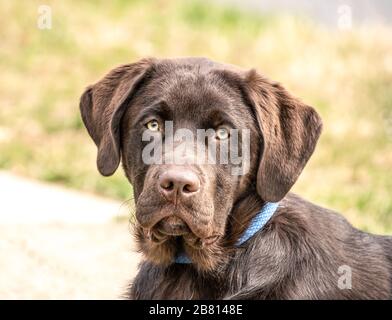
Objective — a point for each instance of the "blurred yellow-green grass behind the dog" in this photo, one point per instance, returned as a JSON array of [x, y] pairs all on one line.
[[347, 76]]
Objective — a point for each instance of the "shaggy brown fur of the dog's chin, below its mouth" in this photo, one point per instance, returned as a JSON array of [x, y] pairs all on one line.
[[205, 254]]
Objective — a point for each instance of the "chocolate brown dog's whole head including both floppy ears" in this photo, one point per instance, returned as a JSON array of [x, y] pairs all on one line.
[[185, 203]]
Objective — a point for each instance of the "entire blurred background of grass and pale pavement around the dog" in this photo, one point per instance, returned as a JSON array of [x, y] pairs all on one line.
[[335, 55]]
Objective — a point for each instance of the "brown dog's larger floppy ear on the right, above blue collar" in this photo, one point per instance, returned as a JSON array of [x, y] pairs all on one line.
[[290, 131]]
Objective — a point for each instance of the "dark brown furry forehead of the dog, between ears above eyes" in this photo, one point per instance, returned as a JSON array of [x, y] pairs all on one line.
[[188, 88]]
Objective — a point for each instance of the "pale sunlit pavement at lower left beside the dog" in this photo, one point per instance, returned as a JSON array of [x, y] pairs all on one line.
[[61, 244]]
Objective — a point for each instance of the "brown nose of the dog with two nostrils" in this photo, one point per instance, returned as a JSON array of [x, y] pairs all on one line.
[[178, 182]]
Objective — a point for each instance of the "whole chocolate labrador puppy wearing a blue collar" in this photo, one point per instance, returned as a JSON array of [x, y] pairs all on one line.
[[208, 232]]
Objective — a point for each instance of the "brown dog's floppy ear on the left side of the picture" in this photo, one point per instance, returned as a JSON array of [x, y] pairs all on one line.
[[102, 106]]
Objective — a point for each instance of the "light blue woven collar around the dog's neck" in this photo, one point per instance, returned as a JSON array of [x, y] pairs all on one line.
[[257, 223]]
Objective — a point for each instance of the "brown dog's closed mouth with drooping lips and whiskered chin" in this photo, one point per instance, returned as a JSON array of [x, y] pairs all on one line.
[[168, 234]]
